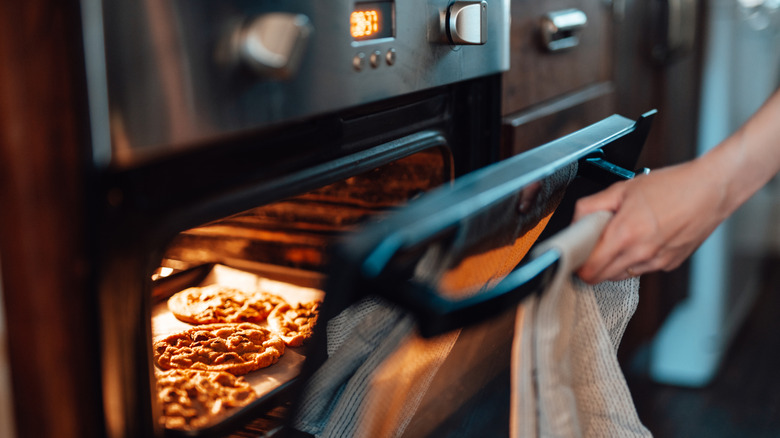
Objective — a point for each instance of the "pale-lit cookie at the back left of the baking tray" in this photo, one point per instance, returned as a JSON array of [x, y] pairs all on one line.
[[217, 303]]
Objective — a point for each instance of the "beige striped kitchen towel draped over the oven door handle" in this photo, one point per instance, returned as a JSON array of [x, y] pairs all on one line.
[[566, 380]]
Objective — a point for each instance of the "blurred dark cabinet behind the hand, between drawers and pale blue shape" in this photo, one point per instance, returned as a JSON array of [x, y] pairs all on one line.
[[672, 87]]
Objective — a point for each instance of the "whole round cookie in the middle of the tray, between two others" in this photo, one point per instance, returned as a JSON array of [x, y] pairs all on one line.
[[236, 348]]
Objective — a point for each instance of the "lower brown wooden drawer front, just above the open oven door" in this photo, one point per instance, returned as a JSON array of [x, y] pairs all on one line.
[[536, 126]]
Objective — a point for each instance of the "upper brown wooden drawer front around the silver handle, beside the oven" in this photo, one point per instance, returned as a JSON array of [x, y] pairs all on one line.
[[537, 75]]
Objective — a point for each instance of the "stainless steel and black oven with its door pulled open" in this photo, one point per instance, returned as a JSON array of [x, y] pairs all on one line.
[[344, 153]]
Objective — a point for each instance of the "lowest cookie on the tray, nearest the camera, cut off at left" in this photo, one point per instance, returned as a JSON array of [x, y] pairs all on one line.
[[193, 399]]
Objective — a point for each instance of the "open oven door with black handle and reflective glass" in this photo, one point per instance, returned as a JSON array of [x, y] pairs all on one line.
[[420, 306]]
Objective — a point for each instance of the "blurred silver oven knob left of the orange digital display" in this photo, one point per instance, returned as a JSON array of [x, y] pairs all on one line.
[[273, 44]]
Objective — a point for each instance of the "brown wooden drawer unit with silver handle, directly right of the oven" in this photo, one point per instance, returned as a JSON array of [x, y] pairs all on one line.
[[549, 93]]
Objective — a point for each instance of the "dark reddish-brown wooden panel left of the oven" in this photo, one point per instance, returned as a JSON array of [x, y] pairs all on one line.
[[52, 337]]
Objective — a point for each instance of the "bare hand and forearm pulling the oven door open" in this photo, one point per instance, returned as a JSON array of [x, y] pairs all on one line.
[[661, 218]]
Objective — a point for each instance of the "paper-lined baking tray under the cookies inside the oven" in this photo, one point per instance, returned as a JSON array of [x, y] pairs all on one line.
[[267, 382]]
